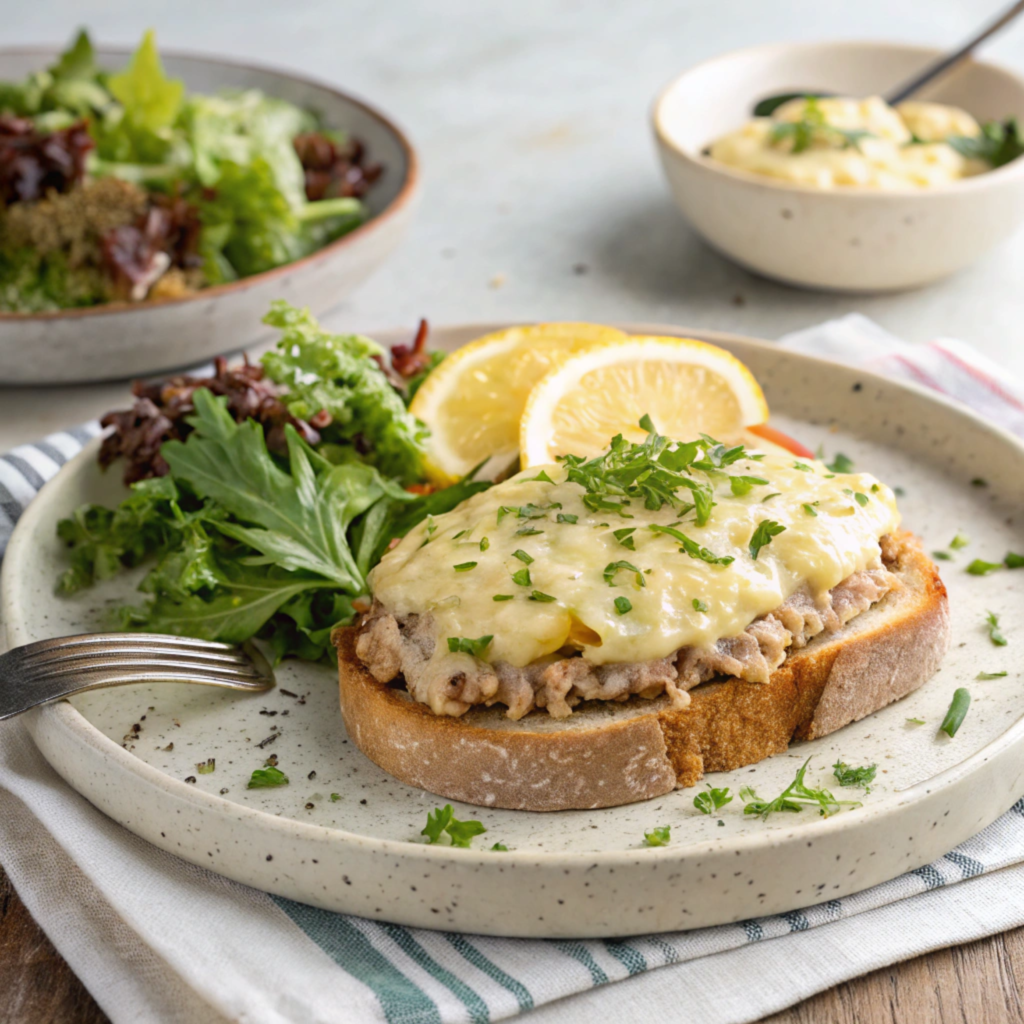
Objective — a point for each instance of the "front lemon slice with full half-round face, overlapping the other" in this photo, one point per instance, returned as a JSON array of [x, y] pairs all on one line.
[[688, 388]]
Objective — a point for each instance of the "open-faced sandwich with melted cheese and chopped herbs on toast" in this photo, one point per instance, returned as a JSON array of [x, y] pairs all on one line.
[[602, 631]]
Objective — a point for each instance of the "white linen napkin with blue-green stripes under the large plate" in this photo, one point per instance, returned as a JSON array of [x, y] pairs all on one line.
[[157, 940]]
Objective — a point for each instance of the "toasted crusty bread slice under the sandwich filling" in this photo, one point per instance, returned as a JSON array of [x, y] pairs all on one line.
[[608, 753]]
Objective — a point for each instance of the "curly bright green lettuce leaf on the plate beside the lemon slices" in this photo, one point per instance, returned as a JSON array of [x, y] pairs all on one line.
[[337, 374]]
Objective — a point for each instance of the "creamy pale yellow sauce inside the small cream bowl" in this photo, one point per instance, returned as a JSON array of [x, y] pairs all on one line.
[[884, 160]]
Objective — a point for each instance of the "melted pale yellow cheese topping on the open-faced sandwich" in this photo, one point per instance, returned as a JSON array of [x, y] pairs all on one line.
[[569, 563]]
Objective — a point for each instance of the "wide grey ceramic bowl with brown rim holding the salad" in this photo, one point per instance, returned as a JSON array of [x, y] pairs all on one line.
[[135, 339]]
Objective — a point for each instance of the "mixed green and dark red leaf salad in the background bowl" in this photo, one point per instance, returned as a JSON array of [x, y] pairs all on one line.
[[123, 186]]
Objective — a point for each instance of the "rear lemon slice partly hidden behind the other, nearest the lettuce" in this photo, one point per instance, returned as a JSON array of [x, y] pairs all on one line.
[[474, 402]]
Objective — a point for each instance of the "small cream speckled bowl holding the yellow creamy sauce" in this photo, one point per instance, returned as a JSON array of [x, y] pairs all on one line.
[[857, 240]]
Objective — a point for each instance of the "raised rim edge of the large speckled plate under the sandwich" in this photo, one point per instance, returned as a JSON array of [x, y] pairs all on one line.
[[73, 720]]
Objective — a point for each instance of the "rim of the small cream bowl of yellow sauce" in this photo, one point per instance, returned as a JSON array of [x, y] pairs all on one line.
[[998, 176]]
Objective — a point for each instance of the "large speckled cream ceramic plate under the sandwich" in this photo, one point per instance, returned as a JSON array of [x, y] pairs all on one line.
[[131, 751]]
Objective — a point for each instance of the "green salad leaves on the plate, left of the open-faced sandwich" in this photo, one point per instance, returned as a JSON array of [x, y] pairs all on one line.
[[245, 542]]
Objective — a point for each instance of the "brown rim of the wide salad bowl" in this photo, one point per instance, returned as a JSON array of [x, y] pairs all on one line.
[[404, 198]]
